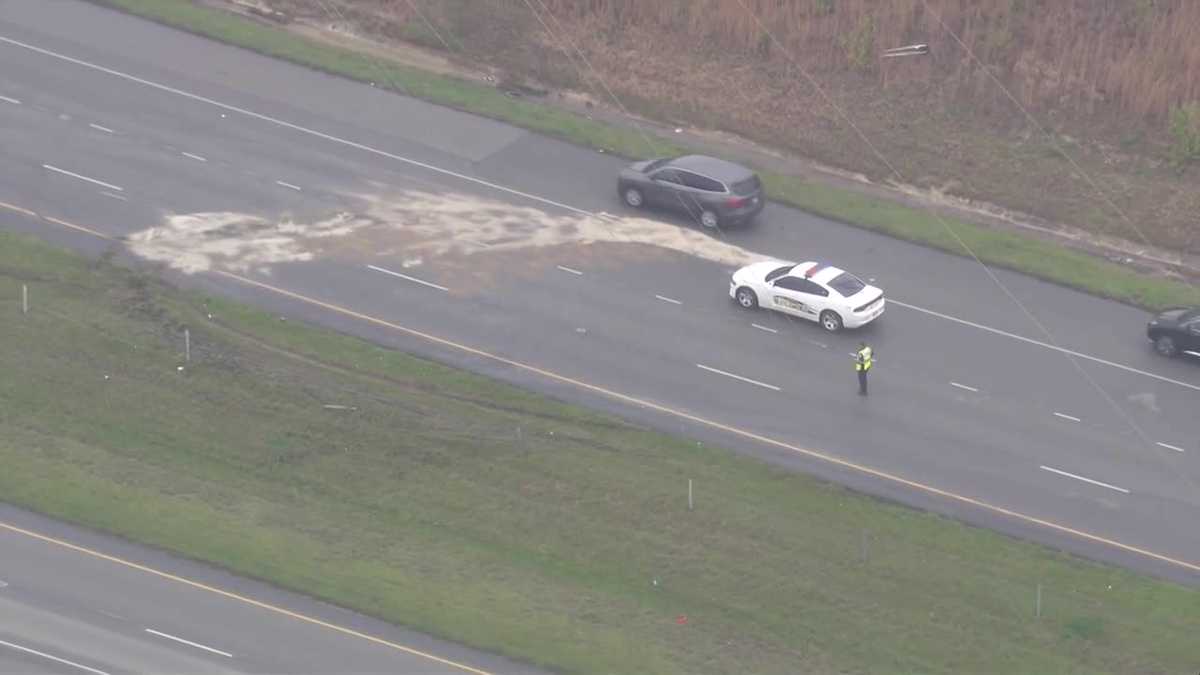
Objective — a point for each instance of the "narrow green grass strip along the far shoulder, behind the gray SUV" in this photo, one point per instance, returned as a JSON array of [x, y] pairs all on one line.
[[1030, 255]]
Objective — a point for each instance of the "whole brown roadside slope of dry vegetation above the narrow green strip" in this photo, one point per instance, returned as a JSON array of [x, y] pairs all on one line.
[[1101, 76]]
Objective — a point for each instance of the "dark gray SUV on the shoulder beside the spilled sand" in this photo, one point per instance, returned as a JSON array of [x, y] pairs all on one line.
[[712, 192]]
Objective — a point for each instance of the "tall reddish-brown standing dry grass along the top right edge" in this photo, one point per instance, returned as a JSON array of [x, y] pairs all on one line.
[[1079, 57]]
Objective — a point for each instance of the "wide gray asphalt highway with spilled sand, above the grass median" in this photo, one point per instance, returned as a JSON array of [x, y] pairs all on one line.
[[1043, 409]]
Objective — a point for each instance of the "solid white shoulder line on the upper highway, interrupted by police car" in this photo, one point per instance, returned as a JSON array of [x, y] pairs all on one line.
[[519, 193]]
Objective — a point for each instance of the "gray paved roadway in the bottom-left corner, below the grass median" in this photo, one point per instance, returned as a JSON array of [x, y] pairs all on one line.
[[68, 612]]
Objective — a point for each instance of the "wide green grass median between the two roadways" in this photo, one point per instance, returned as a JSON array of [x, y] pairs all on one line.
[[490, 516]]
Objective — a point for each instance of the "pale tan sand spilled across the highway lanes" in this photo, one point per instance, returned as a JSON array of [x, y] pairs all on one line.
[[442, 232]]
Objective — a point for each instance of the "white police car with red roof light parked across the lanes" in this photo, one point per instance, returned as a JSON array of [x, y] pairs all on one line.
[[815, 291]]
